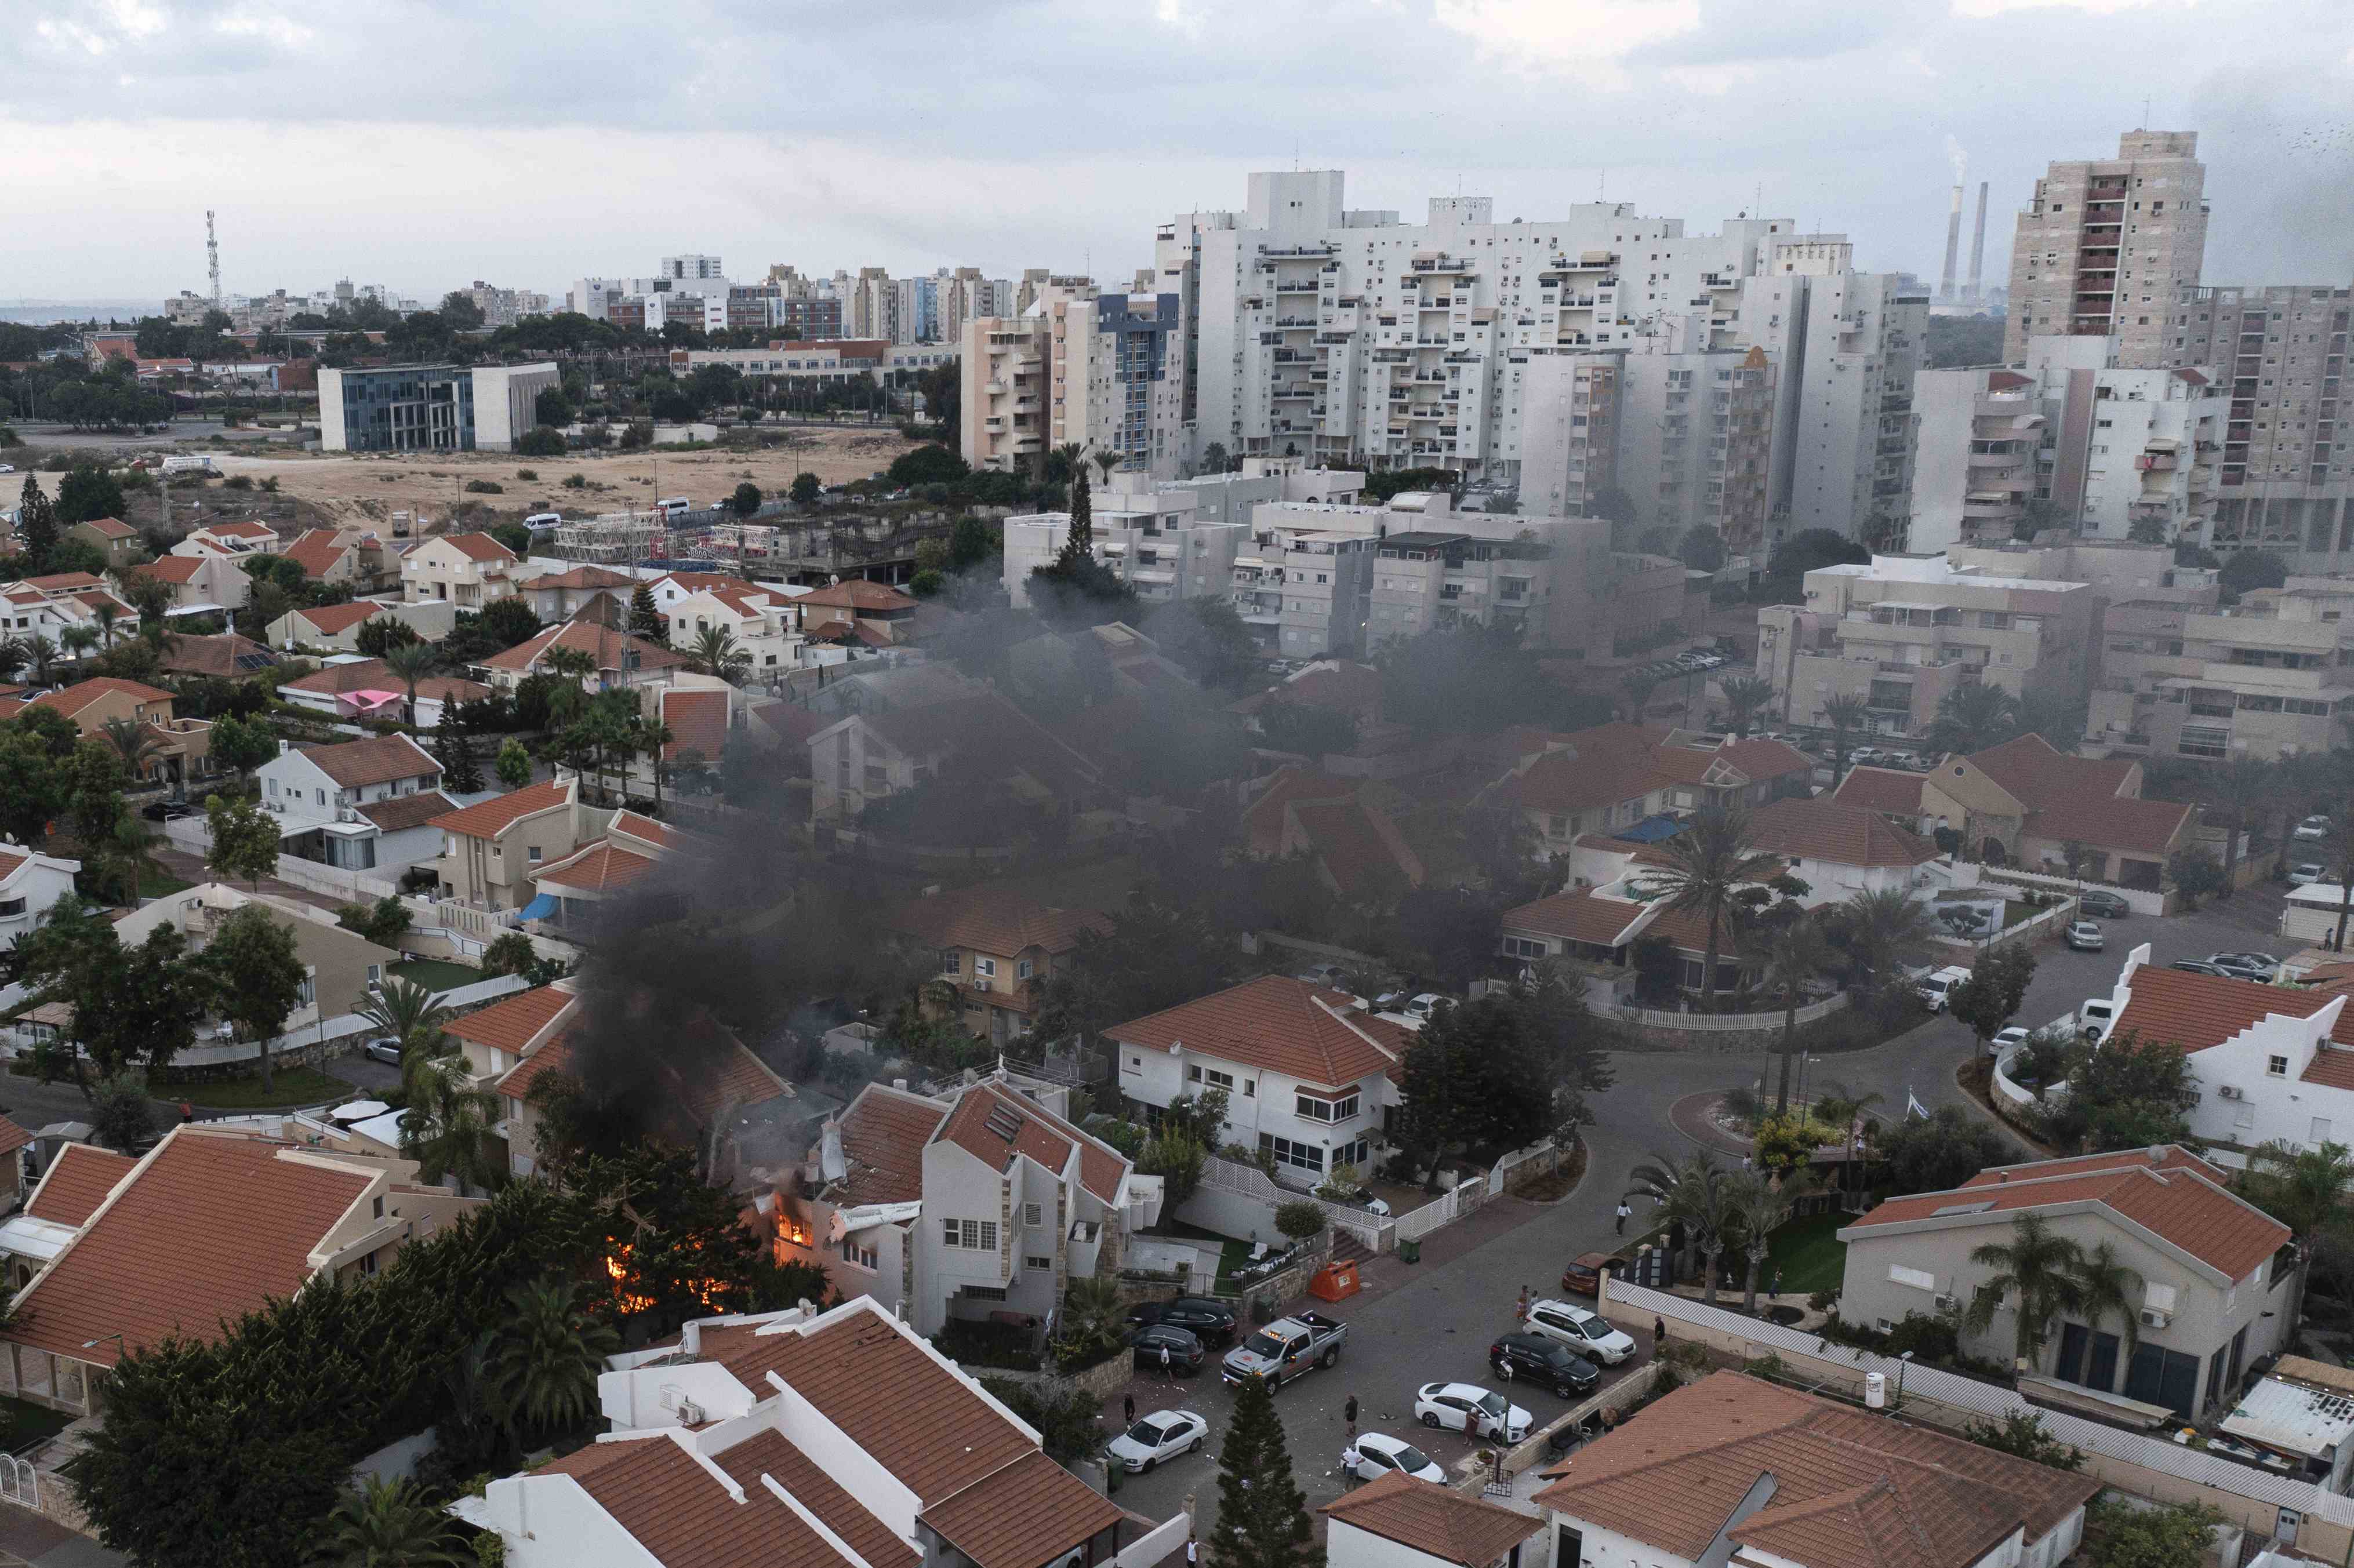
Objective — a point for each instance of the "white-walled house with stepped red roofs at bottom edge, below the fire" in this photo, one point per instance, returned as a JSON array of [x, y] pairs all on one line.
[[832, 1440]]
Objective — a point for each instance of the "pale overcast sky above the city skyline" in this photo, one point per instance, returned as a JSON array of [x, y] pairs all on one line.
[[528, 142]]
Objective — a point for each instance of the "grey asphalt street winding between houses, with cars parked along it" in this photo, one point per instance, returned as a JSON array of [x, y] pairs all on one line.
[[1435, 1322]]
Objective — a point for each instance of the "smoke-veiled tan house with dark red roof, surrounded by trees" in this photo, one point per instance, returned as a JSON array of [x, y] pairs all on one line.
[[997, 948]]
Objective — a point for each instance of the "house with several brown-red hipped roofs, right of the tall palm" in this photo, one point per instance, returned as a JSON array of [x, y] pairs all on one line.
[[2023, 804]]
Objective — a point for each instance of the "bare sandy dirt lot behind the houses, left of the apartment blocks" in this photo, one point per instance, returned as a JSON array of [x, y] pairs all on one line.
[[378, 486]]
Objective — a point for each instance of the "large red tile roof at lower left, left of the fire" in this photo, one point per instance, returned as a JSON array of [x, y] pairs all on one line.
[[204, 1233]]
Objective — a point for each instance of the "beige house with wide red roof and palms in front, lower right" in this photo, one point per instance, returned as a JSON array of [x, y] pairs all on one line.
[[2207, 1265]]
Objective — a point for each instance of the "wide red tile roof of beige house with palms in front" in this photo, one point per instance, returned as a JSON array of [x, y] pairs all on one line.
[[2181, 1207]]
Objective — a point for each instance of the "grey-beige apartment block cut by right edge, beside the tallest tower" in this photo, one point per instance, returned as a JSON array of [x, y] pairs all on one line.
[[2285, 481]]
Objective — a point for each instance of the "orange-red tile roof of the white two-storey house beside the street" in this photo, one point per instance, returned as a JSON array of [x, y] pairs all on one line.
[[1279, 1025]]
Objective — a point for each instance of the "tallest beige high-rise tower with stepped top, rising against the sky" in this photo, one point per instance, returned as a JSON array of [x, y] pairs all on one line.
[[2108, 246]]
